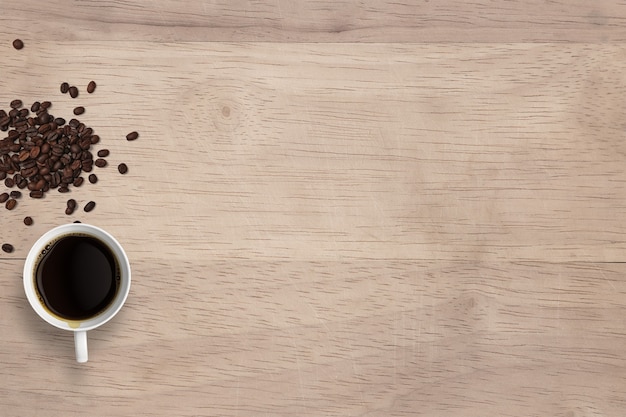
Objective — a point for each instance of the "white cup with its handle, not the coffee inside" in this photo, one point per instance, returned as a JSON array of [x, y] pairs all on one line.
[[79, 327]]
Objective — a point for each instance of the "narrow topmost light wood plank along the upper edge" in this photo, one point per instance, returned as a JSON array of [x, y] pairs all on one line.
[[320, 21]]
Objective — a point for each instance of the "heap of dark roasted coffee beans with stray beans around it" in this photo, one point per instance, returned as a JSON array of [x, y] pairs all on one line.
[[41, 152]]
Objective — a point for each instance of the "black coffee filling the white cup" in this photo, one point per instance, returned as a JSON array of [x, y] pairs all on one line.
[[77, 277]]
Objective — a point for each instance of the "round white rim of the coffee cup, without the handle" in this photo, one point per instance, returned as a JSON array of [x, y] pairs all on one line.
[[102, 317]]
